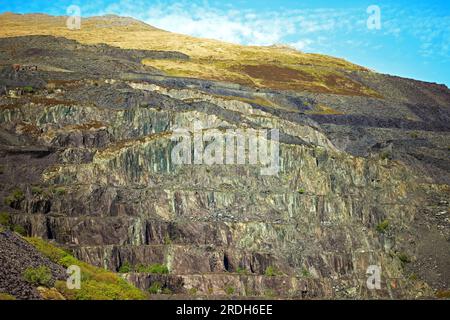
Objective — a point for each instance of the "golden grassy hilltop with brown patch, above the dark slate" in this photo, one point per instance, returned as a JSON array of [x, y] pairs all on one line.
[[277, 67]]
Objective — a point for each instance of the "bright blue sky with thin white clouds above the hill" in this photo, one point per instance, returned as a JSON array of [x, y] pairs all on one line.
[[405, 38]]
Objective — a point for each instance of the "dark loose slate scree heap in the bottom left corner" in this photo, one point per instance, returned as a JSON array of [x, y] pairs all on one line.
[[16, 255]]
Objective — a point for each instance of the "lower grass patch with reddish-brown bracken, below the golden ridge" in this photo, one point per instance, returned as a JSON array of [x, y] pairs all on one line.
[[262, 74]]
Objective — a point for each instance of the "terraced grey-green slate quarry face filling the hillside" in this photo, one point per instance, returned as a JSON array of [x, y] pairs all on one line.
[[87, 161]]
